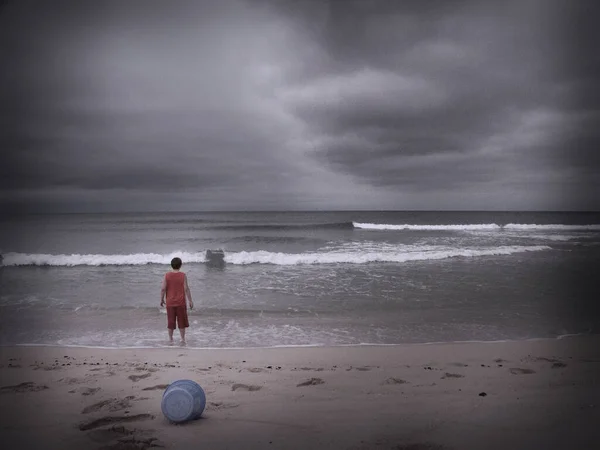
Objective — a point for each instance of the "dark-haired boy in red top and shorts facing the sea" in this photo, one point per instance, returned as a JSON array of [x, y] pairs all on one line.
[[175, 287]]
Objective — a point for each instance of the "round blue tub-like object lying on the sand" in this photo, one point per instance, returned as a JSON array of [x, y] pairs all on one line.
[[183, 400]]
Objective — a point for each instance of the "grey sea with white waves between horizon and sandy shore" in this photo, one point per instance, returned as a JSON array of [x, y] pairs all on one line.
[[300, 278]]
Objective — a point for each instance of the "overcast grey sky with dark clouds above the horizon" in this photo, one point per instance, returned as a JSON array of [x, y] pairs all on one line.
[[299, 105]]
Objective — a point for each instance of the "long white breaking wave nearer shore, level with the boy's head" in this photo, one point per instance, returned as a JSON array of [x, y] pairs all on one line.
[[265, 257]]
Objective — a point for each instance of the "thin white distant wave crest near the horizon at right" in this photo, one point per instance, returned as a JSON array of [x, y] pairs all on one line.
[[476, 227]]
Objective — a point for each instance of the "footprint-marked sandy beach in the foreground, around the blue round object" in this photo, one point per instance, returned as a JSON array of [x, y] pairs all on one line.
[[508, 395]]
